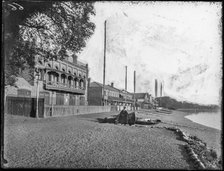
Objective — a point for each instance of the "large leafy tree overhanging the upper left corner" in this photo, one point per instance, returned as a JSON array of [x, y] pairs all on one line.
[[49, 29]]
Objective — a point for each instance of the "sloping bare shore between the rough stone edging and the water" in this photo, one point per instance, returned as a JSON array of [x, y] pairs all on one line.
[[177, 119]]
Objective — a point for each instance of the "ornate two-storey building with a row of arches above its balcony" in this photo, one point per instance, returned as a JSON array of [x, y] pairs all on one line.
[[68, 79]]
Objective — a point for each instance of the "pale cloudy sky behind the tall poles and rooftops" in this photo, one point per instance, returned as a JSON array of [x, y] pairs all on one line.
[[177, 43]]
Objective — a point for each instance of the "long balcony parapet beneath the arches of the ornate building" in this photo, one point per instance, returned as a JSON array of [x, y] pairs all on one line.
[[64, 87]]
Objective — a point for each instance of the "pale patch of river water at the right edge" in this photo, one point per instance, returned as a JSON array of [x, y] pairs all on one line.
[[212, 120]]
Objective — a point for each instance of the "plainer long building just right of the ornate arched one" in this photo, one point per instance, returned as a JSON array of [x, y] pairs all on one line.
[[111, 96]]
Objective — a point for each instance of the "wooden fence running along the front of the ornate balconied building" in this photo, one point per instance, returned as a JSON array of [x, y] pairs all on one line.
[[26, 106]]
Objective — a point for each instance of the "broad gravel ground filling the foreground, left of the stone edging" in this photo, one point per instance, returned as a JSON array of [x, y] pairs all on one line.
[[81, 142]]
